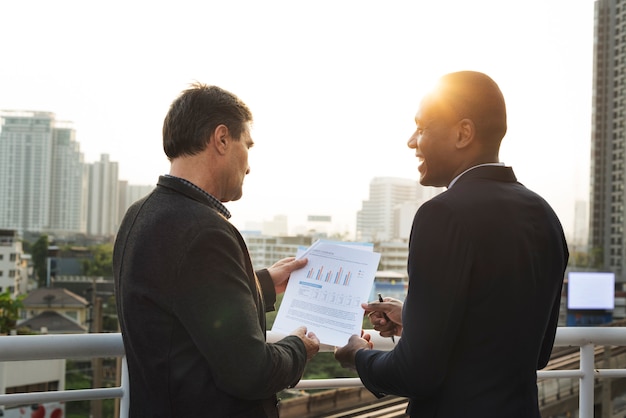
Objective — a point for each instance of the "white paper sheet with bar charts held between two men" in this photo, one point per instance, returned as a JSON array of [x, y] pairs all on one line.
[[326, 294]]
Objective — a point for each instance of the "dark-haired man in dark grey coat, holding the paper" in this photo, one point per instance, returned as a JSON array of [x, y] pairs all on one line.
[[191, 308]]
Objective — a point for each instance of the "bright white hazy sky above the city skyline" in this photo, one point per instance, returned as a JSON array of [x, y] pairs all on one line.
[[333, 86]]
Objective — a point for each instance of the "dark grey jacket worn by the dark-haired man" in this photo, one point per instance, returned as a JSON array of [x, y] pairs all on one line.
[[192, 312]]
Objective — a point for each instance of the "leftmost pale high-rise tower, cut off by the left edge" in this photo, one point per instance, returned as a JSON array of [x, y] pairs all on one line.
[[25, 157]]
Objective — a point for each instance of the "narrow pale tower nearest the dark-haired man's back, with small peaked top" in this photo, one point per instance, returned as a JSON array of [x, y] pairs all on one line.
[[103, 216]]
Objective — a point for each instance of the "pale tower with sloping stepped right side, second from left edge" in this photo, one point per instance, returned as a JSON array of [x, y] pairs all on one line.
[[68, 183]]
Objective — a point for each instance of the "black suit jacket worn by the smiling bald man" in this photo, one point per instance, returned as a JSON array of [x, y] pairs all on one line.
[[486, 264]]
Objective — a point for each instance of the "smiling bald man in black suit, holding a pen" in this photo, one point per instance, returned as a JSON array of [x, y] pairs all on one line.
[[486, 264]]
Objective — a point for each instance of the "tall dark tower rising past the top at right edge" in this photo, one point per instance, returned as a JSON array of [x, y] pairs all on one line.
[[607, 194]]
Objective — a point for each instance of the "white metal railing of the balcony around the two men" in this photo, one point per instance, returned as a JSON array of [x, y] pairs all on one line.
[[42, 347]]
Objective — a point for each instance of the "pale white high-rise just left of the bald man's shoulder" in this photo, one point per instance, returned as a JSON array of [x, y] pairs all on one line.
[[390, 208]]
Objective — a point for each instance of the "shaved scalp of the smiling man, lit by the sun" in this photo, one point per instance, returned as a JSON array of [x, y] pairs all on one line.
[[474, 95]]
